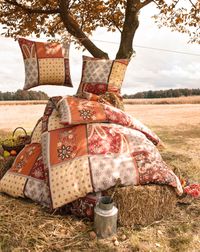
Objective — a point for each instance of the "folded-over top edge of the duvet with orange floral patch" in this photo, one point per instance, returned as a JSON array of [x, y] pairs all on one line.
[[73, 111]]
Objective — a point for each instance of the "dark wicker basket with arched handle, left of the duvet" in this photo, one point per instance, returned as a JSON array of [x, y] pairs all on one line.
[[23, 139]]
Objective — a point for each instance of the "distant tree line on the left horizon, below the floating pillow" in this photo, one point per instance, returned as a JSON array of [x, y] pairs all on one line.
[[21, 95]]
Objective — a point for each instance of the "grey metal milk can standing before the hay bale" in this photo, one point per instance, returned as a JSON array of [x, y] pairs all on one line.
[[105, 217]]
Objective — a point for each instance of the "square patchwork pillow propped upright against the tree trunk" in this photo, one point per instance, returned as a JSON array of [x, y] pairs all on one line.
[[101, 75]]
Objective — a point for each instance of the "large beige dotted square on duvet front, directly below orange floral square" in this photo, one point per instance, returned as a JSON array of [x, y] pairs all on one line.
[[70, 181]]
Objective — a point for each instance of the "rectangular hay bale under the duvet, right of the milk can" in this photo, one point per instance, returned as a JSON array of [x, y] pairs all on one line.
[[143, 205]]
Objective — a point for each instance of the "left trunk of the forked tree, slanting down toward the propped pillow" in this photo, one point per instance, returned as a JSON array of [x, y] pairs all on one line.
[[74, 29]]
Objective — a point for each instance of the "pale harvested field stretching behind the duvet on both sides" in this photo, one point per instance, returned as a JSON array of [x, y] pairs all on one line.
[[152, 115]]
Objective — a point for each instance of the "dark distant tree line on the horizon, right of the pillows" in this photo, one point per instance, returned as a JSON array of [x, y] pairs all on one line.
[[164, 93]]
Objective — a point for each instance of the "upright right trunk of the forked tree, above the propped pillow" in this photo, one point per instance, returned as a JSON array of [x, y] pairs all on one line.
[[130, 26]]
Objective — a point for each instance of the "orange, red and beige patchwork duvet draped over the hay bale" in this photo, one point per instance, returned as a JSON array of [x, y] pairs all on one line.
[[81, 146]]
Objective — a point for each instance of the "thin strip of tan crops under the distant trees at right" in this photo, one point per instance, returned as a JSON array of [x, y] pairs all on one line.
[[173, 100]]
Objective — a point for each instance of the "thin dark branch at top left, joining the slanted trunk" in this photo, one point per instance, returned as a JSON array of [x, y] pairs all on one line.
[[32, 10]]
